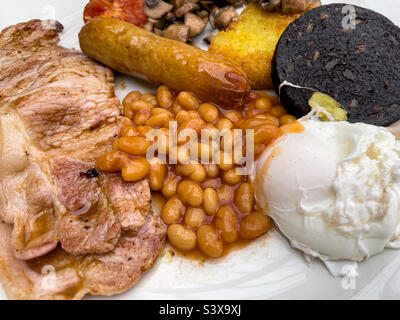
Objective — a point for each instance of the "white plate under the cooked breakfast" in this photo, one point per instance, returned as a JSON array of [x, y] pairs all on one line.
[[268, 268]]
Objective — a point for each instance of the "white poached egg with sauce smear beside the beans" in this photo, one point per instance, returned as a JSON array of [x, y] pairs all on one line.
[[333, 189]]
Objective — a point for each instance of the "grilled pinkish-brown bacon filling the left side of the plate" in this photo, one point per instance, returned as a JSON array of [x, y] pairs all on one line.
[[58, 114]]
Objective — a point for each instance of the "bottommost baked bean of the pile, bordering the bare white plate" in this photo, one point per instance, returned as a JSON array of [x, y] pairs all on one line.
[[209, 242]]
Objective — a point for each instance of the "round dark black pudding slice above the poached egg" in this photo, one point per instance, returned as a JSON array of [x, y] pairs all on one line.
[[360, 68]]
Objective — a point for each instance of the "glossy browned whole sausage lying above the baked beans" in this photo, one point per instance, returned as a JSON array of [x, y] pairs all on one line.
[[134, 51]]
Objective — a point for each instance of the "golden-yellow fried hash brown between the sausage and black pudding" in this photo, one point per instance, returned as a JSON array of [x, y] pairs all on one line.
[[250, 42]]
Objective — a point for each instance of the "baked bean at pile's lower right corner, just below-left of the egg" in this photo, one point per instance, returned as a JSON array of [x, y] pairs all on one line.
[[254, 225]]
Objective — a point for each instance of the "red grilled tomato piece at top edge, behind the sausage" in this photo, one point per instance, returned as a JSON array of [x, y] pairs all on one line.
[[127, 10]]
